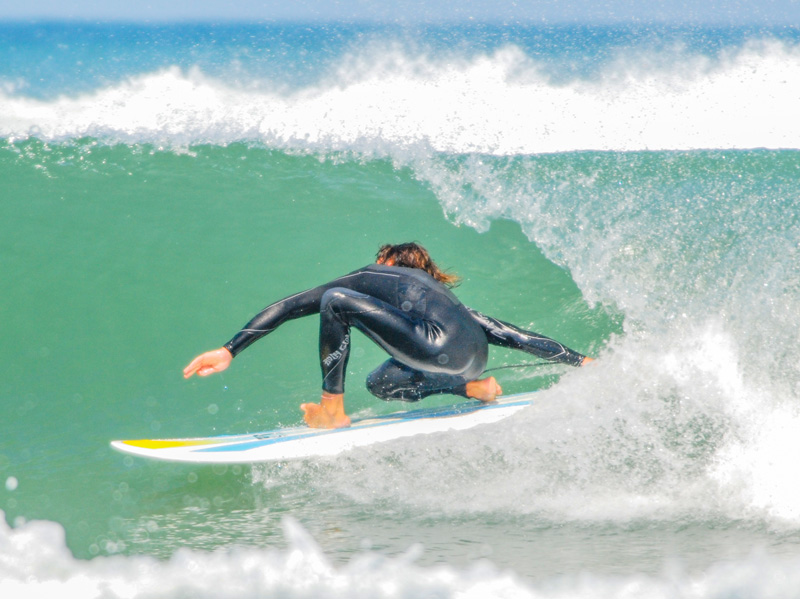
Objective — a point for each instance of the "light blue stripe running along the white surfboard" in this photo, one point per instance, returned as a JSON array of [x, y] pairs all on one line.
[[421, 414]]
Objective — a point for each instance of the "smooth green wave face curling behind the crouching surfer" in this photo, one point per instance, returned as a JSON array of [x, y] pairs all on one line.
[[120, 263]]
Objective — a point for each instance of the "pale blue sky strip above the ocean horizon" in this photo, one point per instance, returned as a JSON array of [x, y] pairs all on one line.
[[756, 12]]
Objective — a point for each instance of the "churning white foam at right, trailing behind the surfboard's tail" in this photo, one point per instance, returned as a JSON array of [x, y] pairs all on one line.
[[663, 428]]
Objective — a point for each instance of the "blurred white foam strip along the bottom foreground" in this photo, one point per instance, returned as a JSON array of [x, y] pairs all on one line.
[[34, 561]]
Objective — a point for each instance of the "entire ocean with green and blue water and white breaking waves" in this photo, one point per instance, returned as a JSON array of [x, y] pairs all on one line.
[[630, 191]]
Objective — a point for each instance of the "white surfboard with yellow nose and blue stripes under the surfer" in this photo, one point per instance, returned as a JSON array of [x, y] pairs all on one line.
[[302, 442]]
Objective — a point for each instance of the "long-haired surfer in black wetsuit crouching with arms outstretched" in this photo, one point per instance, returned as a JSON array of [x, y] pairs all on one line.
[[404, 303]]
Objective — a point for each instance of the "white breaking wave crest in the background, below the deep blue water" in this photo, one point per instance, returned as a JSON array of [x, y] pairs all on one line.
[[387, 97]]
